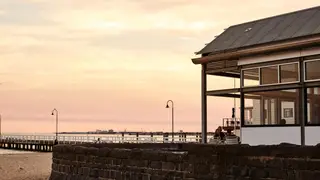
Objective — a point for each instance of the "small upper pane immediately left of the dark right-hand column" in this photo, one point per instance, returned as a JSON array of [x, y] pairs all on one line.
[[289, 73]]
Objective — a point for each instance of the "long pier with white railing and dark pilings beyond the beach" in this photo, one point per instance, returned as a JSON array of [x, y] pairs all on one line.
[[45, 143]]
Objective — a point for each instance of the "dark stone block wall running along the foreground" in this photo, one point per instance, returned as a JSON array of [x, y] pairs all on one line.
[[184, 161]]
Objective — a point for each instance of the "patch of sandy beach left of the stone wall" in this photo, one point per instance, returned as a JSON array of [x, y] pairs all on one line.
[[29, 166]]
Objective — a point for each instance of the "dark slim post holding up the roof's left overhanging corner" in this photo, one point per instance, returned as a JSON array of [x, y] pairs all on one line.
[[204, 103]]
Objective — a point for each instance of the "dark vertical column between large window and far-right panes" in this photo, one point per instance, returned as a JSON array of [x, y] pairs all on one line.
[[303, 105]]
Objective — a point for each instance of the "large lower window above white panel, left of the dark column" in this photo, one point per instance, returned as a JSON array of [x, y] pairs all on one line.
[[273, 107]]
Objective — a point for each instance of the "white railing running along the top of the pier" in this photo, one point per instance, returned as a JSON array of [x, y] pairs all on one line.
[[95, 139]]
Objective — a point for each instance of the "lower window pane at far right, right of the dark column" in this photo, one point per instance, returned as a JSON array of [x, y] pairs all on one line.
[[313, 105]]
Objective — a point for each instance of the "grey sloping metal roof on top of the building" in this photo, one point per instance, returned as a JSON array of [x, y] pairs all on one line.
[[277, 28]]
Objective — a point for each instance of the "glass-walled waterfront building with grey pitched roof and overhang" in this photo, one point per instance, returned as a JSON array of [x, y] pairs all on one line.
[[277, 61]]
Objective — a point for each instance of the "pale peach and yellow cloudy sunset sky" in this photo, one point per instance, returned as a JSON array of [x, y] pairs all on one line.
[[113, 64]]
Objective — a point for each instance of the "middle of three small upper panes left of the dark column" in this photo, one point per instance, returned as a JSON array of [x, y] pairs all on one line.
[[269, 75]]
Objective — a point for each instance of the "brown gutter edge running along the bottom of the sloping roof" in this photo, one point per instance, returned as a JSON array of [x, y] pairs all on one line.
[[257, 50]]
